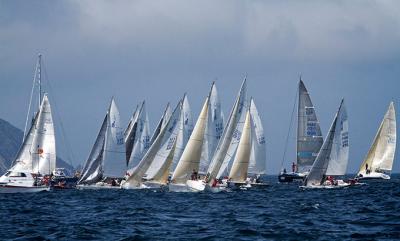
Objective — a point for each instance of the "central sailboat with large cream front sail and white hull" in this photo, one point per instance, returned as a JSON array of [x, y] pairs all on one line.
[[185, 176]]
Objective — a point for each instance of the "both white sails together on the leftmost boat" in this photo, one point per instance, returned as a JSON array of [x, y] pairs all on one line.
[[38, 151]]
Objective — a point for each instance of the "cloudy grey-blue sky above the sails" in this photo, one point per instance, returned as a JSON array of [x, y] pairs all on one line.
[[158, 50]]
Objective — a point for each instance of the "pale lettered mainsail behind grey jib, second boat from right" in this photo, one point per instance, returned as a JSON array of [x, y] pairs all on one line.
[[339, 157]]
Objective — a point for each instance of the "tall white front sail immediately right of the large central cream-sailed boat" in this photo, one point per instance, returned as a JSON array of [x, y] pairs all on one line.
[[226, 146]]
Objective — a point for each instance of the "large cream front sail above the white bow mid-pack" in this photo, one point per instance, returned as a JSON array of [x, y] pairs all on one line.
[[190, 159]]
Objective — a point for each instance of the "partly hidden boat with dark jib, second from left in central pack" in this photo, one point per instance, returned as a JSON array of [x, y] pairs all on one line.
[[137, 137]]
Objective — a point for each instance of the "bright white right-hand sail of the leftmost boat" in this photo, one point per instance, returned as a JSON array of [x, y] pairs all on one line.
[[44, 146]]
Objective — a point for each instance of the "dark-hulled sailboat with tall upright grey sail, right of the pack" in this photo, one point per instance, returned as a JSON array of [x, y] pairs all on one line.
[[309, 137]]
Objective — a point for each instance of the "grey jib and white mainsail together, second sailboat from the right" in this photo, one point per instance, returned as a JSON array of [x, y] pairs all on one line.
[[333, 144]]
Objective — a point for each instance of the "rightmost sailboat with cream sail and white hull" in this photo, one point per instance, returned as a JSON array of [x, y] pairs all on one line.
[[379, 160]]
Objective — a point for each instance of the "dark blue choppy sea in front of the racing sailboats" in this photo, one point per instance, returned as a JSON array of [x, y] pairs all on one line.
[[280, 212]]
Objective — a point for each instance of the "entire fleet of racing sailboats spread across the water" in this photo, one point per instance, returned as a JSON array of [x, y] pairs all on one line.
[[212, 155]]
